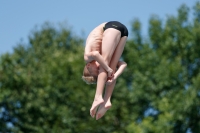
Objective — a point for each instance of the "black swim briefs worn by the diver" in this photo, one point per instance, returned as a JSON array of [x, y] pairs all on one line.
[[118, 26]]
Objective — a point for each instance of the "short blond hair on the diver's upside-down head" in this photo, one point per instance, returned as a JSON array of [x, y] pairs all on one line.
[[89, 79]]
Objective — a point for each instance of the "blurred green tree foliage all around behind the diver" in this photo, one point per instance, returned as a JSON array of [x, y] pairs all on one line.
[[41, 88]]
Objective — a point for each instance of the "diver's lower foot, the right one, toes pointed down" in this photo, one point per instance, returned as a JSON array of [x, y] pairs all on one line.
[[102, 110]]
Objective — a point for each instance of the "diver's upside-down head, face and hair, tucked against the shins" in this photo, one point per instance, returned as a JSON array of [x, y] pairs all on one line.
[[90, 72]]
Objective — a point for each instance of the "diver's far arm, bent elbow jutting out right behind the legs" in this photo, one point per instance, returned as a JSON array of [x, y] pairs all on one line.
[[121, 66]]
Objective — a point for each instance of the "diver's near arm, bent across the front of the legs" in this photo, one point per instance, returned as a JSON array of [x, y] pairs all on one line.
[[94, 55]]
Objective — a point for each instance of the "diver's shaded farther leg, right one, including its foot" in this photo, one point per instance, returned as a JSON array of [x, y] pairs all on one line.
[[109, 88]]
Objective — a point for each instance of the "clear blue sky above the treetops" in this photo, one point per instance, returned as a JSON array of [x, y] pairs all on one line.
[[18, 18]]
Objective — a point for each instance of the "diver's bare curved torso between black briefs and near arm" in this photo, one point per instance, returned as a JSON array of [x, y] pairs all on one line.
[[94, 40]]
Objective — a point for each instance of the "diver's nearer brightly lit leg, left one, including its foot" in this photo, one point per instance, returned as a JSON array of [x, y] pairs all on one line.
[[110, 40]]
